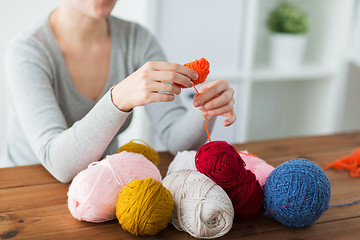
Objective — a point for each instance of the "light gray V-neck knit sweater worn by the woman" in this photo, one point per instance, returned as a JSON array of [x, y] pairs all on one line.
[[50, 122]]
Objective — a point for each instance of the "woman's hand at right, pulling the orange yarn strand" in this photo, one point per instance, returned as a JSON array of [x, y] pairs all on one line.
[[216, 99]]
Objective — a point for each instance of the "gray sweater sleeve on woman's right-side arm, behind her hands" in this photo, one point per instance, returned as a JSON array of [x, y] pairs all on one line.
[[178, 128]]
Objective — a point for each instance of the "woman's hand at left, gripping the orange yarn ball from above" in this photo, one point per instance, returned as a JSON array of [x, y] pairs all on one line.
[[153, 82]]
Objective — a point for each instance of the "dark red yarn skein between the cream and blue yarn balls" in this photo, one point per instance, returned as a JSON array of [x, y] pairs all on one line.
[[221, 162]]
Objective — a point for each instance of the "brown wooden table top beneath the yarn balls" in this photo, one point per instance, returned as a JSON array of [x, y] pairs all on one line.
[[33, 205]]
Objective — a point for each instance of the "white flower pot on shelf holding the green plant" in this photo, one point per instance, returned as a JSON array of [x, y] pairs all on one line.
[[287, 50]]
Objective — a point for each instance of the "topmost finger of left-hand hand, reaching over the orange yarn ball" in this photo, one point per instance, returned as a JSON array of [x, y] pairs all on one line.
[[166, 66]]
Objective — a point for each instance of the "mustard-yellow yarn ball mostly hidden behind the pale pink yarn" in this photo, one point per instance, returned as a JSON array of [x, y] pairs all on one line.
[[142, 148]]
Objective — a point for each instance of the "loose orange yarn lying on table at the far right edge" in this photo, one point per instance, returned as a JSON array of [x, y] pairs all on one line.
[[350, 162]]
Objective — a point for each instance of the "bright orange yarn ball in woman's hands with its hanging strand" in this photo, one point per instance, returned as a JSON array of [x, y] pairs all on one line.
[[201, 66]]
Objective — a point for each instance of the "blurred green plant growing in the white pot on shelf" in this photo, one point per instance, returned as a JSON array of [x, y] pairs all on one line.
[[287, 18]]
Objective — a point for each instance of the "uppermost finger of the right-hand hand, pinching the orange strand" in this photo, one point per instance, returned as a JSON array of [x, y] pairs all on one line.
[[209, 91]]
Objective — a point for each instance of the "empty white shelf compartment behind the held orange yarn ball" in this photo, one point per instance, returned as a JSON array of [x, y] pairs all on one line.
[[212, 29]]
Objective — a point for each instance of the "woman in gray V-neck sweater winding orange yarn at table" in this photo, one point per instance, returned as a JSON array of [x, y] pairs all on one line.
[[76, 78]]
